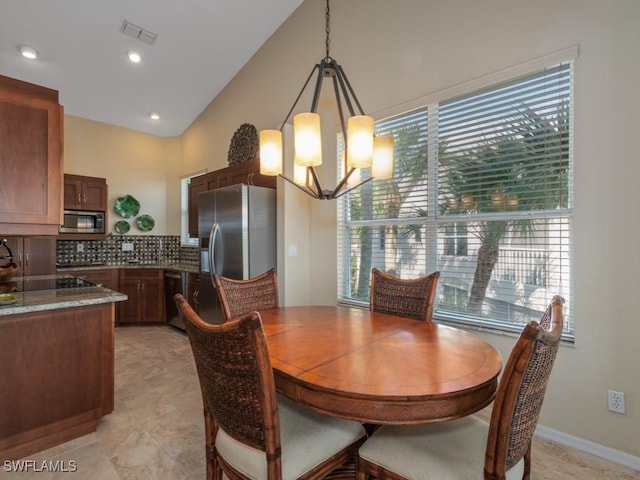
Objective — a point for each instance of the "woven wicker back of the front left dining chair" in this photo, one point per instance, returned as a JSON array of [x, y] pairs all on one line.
[[238, 388]]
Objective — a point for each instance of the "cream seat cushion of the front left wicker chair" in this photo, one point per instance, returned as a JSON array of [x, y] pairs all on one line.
[[308, 438]]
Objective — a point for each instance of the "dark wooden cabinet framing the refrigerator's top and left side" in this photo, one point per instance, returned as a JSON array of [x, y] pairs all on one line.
[[247, 173]]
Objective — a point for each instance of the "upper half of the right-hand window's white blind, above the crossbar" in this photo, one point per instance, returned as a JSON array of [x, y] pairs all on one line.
[[507, 148]]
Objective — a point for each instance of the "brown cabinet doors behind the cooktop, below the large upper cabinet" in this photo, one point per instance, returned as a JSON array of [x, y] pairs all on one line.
[[32, 255]]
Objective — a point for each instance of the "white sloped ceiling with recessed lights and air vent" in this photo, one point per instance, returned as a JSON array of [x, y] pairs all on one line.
[[83, 47]]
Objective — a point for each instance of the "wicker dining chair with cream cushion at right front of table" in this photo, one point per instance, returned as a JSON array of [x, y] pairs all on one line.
[[456, 449]]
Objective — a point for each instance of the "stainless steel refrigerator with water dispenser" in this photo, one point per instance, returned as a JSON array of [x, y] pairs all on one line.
[[237, 235]]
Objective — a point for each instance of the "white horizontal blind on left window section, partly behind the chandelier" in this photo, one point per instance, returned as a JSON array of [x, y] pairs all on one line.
[[385, 227]]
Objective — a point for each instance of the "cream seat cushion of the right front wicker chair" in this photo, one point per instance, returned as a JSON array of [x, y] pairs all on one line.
[[451, 450]]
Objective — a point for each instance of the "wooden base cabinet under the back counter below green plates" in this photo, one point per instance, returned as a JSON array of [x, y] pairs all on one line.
[[145, 289]]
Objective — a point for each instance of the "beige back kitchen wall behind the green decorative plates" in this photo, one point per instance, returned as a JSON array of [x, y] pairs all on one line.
[[142, 165]]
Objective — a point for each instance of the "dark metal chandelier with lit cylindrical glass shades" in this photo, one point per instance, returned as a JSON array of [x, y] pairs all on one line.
[[363, 149]]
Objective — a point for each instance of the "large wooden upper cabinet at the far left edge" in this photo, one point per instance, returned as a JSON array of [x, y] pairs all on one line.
[[31, 122]]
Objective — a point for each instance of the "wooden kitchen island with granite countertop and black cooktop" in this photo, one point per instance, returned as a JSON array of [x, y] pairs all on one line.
[[56, 361]]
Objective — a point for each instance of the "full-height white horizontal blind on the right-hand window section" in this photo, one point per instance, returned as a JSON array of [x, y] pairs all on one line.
[[503, 189]]
